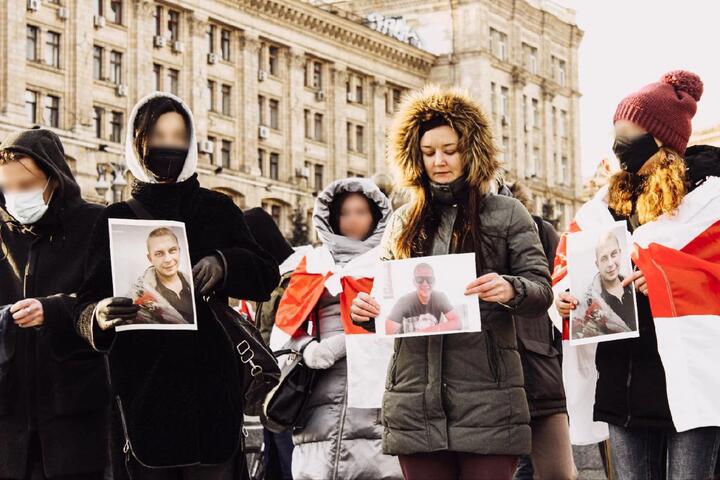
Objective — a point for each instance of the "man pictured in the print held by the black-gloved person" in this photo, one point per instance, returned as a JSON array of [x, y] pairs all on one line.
[[163, 292]]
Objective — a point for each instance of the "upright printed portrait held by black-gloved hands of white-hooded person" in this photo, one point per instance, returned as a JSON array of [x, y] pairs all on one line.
[[151, 264]]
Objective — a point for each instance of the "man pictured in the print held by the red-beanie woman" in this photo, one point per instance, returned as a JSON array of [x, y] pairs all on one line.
[[609, 301]]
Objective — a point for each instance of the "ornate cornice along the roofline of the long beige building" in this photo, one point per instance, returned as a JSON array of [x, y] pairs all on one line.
[[346, 32]]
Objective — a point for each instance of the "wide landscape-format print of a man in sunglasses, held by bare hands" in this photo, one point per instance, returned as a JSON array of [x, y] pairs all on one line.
[[425, 296]]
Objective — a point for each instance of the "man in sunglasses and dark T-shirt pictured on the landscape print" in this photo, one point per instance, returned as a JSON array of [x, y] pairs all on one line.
[[424, 310]]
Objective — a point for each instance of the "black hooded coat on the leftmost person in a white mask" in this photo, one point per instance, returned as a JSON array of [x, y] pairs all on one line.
[[52, 383]]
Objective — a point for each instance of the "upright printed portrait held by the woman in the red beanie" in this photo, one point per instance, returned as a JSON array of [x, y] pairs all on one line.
[[600, 272]]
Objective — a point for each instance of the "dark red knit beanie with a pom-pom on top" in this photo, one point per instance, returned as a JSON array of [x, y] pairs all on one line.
[[665, 108]]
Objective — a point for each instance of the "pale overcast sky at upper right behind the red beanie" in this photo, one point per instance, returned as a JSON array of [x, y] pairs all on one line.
[[629, 43]]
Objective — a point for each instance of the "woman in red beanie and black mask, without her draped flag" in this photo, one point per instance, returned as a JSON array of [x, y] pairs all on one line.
[[652, 130]]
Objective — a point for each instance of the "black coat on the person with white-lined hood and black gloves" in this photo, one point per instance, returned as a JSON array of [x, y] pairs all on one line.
[[179, 392]]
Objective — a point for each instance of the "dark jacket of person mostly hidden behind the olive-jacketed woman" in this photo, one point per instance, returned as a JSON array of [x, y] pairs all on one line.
[[540, 346]]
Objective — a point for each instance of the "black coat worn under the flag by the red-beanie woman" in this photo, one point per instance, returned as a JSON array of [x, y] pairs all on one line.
[[631, 389]]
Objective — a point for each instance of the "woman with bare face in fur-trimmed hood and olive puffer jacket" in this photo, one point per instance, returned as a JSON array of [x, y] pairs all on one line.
[[456, 402]]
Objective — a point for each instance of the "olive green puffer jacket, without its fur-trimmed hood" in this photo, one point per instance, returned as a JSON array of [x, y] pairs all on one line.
[[464, 392]]
